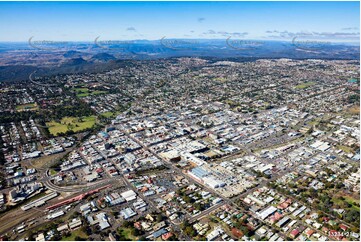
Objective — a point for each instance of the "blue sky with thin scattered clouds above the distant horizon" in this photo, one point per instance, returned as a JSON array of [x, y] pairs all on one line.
[[85, 21]]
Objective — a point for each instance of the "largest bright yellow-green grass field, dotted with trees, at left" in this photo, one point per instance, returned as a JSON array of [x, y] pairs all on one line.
[[71, 123]]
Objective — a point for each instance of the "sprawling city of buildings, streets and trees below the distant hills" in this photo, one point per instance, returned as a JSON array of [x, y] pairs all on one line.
[[180, 148]]
